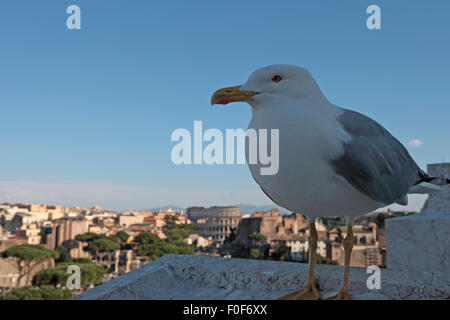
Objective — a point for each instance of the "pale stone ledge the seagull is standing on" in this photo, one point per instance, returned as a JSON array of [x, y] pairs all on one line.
[[186, 277]]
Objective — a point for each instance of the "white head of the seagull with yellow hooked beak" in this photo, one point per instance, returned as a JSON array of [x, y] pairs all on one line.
[[275, 81]]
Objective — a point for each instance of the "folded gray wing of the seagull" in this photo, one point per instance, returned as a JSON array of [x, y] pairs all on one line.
[[374, 162]]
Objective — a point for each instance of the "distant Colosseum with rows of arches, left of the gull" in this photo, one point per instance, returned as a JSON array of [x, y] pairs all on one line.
[[214, 223]]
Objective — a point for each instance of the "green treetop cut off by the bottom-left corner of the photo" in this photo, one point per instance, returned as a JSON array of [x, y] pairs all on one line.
[[42, 293]]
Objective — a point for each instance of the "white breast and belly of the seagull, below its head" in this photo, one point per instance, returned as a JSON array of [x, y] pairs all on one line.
[[306, 182]]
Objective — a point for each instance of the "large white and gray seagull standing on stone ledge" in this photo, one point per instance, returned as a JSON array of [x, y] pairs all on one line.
[[333, 162]]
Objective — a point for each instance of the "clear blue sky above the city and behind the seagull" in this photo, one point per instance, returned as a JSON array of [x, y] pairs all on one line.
[[86, 115]]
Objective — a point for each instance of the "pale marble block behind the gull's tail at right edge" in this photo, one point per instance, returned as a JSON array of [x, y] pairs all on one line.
[[421, 242]]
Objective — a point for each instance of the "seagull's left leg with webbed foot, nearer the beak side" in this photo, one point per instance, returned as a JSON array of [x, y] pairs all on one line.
[[310, 291]]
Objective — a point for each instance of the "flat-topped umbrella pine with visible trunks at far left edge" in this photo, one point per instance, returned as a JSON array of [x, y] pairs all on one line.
[[26, 257]]
